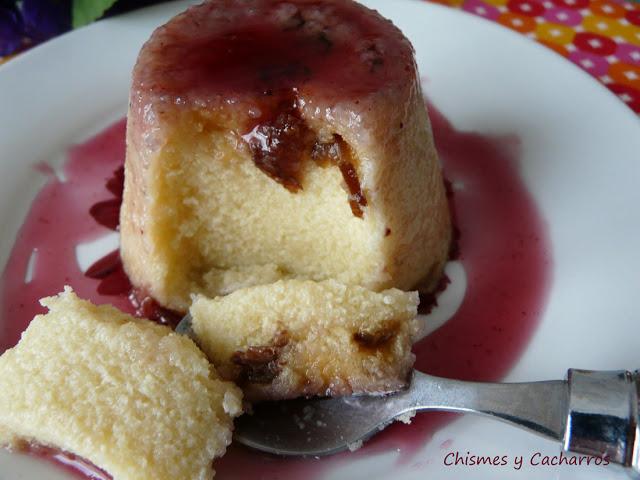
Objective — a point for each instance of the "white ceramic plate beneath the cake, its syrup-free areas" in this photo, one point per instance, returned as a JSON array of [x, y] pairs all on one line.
[[580, 161]]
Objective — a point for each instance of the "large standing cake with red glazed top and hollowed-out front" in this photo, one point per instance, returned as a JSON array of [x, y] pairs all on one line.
[[276, 139]]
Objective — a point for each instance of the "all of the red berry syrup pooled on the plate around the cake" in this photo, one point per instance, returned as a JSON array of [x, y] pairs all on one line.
[[502, 245]]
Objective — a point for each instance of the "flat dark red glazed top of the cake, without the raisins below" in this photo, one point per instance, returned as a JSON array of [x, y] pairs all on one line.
[[224, 51]]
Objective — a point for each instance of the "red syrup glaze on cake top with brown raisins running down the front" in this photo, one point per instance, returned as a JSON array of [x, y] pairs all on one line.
[[253, 65]]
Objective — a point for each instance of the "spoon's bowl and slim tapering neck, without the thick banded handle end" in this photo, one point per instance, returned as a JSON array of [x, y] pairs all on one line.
[[324, 426]]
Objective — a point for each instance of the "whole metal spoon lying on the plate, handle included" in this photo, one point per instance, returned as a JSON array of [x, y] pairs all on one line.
[[593, 413]]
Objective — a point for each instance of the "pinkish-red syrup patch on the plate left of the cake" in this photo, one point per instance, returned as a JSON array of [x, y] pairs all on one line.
[[57, 222]]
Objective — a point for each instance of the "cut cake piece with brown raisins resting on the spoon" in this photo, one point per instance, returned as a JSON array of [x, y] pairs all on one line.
[[302, 338]]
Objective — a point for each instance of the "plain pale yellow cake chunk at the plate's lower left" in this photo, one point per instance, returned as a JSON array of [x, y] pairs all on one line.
[[132, 397]]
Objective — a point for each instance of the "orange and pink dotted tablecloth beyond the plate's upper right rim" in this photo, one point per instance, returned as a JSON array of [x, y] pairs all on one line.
[[600, 36]]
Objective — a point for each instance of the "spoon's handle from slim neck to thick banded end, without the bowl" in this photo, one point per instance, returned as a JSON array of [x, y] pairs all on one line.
[[593, 413]]
